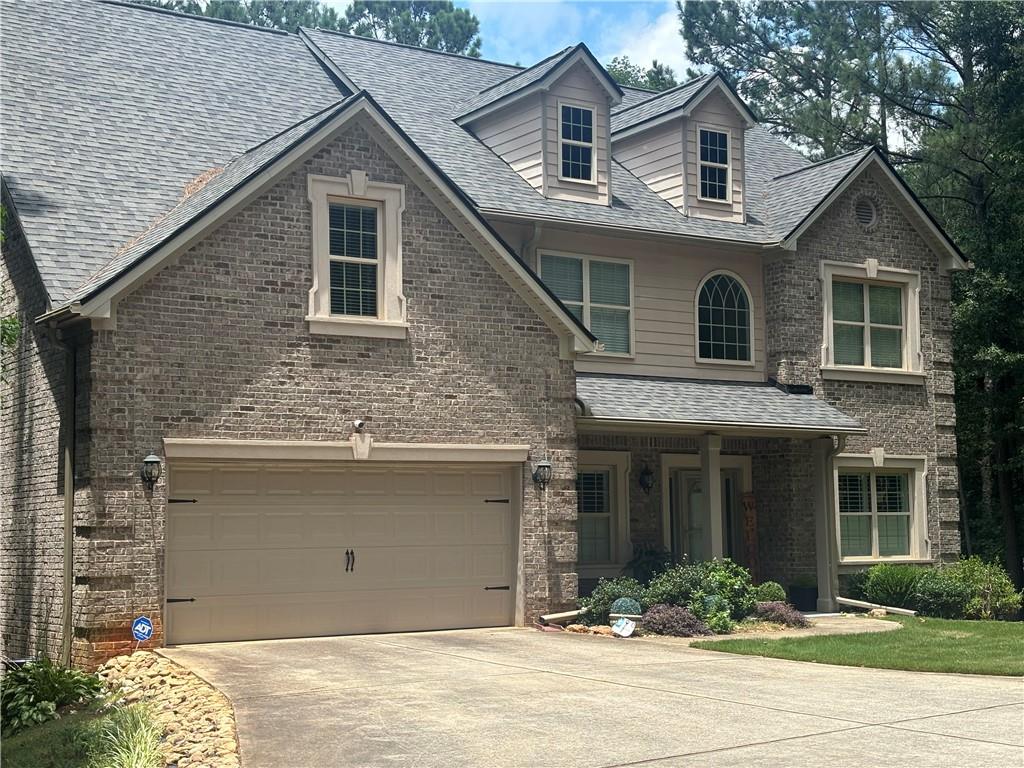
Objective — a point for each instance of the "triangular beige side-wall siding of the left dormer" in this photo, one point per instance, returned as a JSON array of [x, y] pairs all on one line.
[[515, 135]]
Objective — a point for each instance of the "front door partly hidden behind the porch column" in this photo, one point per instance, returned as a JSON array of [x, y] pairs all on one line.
[[691, 519]]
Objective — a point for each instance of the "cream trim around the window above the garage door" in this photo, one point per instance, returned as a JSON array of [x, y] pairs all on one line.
[[391, 202]]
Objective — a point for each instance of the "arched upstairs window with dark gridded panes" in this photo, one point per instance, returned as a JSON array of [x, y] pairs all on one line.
[[723, 320]]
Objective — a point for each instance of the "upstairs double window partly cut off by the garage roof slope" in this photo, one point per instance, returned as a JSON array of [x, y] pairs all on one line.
[[600, 292]]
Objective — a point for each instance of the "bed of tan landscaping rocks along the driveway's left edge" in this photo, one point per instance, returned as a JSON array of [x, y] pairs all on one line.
[[197, 719]]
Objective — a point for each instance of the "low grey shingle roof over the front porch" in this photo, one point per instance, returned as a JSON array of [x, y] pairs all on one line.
[[708, 404]]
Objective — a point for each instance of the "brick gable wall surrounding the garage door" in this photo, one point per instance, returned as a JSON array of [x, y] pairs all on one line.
[[217, 347]]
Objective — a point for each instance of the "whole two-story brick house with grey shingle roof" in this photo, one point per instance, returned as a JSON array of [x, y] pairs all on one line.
[[309, 320]]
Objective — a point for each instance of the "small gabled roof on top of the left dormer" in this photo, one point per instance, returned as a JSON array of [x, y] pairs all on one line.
[[537, 78]]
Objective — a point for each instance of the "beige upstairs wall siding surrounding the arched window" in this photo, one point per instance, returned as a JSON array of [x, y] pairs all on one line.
[[666, 278]]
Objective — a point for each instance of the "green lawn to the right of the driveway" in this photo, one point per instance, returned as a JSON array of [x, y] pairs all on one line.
[[922, 646]]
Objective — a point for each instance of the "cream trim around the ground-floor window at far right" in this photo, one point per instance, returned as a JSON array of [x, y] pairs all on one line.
[[878, 461]]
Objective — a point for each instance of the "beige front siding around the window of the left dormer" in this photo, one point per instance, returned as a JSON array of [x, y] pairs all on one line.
[[579, 88]]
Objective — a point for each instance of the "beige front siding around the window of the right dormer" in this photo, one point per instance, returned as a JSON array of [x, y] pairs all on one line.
[[715, 112]]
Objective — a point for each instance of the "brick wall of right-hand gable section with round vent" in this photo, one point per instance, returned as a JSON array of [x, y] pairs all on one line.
[[901, 418]]
